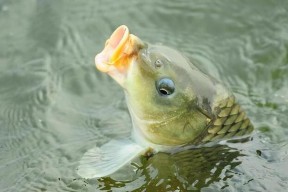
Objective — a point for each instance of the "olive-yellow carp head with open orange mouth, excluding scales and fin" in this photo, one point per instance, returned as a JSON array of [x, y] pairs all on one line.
[[169, 99]]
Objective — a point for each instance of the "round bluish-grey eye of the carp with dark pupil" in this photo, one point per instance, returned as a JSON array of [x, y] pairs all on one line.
[[165, 86]]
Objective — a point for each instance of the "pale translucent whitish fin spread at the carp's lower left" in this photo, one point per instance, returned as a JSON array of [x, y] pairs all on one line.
[[105, 160]]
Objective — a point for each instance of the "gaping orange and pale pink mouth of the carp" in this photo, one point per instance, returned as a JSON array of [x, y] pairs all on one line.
[[120, 50]]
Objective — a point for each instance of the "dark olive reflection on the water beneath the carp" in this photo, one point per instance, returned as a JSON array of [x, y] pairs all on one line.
[[184, 170]]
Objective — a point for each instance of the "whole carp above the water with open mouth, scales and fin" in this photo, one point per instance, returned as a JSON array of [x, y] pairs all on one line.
[[170, 101]]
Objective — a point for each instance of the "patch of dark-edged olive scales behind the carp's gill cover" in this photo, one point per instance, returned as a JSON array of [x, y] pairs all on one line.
[[230, 121]]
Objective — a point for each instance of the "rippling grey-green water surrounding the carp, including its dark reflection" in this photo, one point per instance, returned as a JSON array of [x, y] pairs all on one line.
[[54, 105]]
